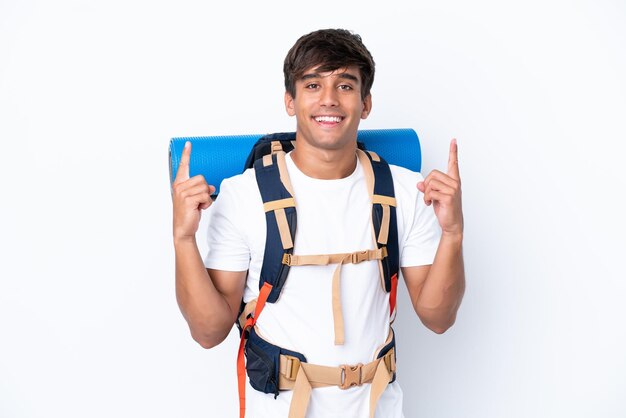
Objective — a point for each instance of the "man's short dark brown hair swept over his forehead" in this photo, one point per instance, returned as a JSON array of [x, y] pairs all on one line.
[[329, 50]]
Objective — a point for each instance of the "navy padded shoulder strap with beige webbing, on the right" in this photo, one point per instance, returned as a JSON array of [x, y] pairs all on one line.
[[384, 219]]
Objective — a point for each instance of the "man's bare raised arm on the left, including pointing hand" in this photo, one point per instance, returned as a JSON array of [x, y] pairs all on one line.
[[208, 299]]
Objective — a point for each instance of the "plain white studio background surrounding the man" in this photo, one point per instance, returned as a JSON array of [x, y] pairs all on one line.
[[91, 93]]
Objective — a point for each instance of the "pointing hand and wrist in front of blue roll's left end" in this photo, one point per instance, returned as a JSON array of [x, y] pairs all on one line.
[[189, 196]]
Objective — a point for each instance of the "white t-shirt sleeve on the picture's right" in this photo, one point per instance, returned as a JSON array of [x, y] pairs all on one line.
[[421, 238]]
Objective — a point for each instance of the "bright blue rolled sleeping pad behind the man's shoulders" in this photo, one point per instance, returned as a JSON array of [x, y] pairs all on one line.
[[220, 157]]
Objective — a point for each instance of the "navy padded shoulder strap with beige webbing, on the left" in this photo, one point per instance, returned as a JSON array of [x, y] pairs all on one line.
[[280, 216]]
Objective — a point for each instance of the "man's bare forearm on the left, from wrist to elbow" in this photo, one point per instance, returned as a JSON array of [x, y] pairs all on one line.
[[206, 310]]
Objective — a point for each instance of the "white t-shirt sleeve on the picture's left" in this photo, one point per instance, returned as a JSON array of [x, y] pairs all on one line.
[[227, 246]]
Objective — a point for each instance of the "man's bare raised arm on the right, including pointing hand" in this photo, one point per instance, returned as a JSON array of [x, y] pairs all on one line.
[[436, 291]]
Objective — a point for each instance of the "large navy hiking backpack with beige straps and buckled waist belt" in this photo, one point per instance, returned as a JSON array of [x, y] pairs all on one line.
[[271, 368]]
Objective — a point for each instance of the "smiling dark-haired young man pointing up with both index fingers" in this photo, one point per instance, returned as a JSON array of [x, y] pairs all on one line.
[[328, 76]]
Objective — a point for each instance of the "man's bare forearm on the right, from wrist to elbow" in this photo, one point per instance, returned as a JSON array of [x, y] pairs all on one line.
[[443, 289]]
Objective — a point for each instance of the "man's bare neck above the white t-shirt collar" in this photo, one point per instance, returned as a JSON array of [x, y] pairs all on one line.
[[324, 164]]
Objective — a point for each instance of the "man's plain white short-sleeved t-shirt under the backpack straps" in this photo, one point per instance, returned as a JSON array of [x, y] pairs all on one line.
[[333, 217]]
